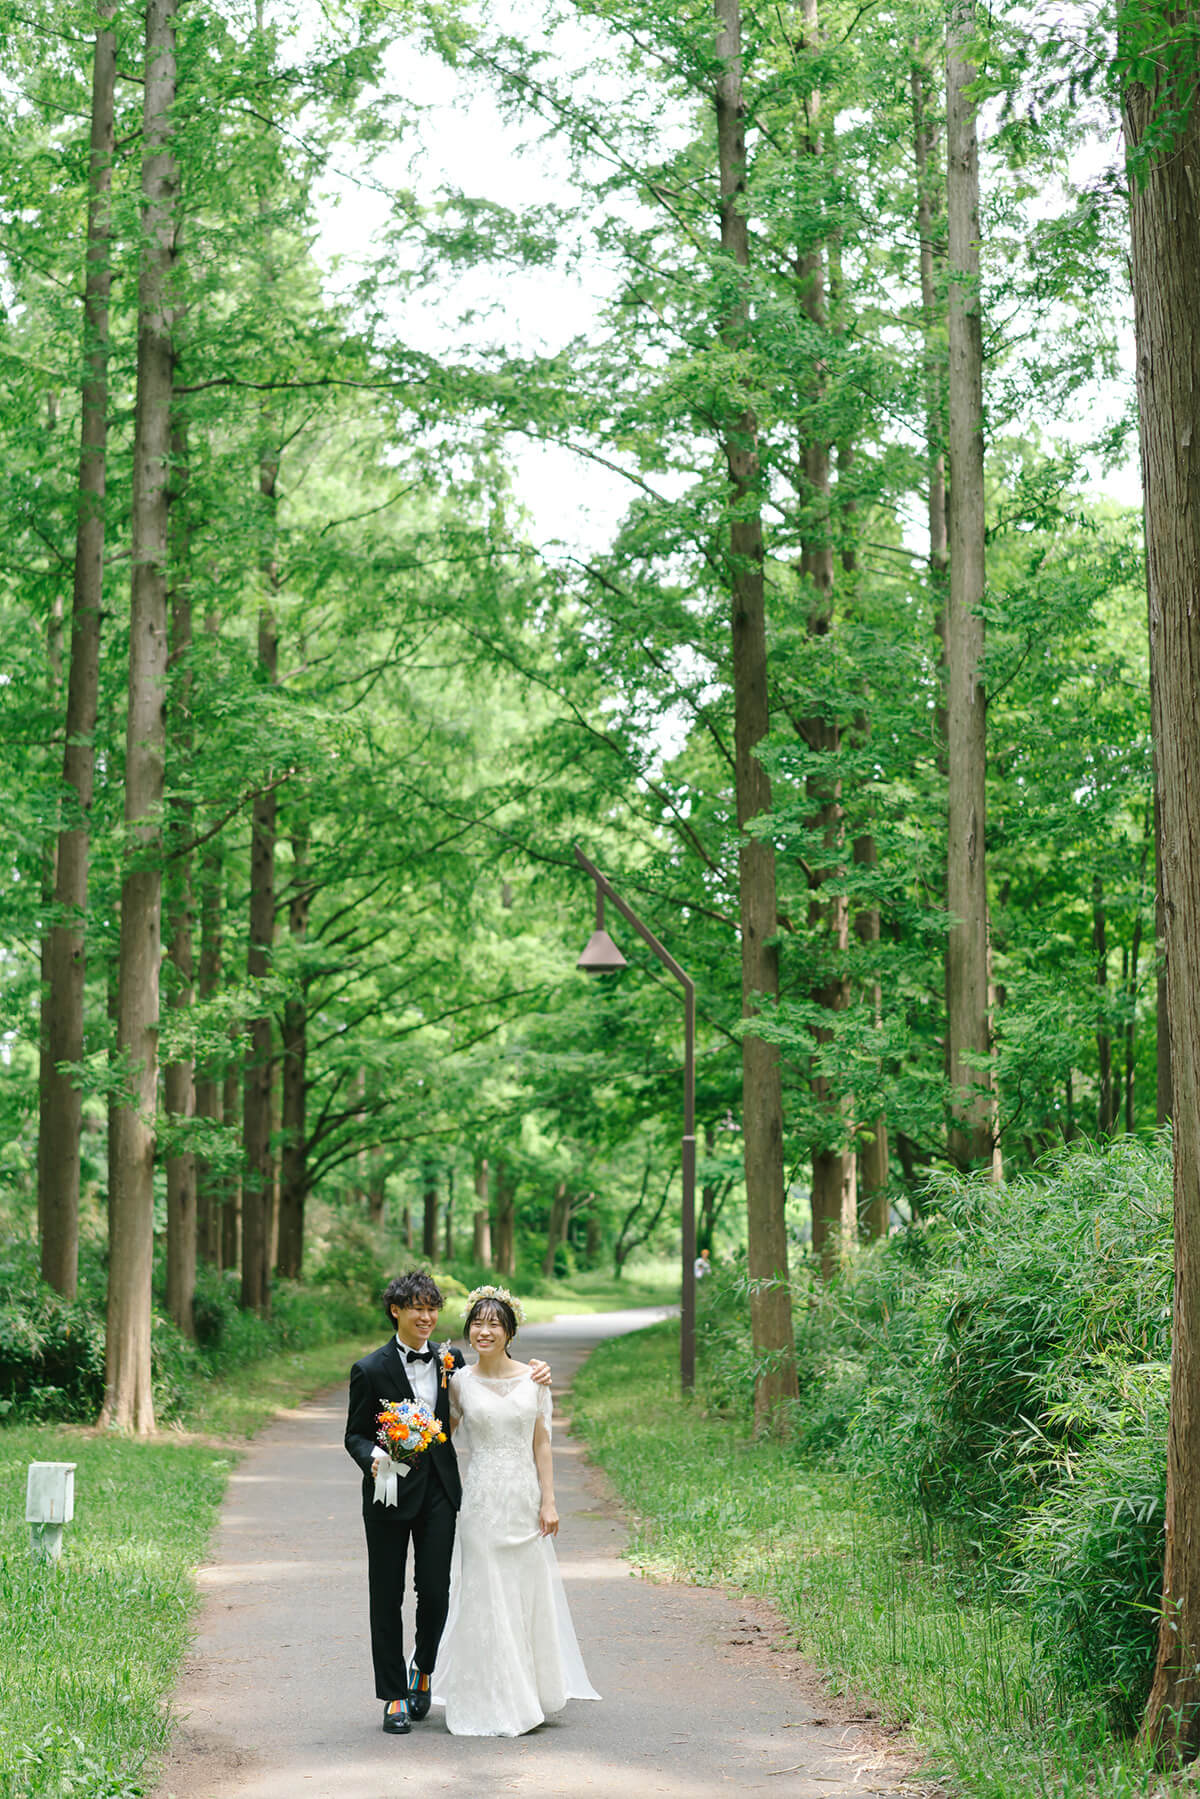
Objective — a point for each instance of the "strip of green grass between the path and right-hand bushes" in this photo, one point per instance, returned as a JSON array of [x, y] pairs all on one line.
[[879, 1613]]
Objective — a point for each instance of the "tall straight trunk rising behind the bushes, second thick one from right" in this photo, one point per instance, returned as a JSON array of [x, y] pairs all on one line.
[[972, 1102]]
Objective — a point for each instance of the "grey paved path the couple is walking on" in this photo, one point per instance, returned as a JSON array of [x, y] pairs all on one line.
[[278, 1696]]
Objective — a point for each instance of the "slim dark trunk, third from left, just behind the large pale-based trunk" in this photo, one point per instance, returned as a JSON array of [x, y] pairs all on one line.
[[179, 1080]]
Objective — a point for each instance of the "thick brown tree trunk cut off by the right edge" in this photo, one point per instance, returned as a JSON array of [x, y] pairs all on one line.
[[1165, 206]]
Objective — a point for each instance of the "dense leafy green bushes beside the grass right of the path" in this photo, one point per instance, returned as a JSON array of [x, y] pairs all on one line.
[[999, 1374]]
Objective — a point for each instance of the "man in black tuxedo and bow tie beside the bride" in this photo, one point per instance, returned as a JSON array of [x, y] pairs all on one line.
[[427, 1499]]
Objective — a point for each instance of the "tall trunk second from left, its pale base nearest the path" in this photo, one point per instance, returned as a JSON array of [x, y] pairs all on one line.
[[132, 1199]]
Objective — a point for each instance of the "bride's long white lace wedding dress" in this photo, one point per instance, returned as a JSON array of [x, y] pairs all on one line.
[[508, 1654]]
